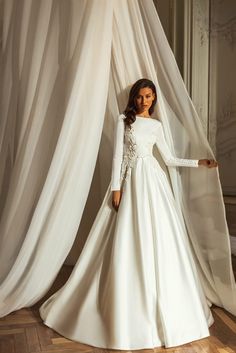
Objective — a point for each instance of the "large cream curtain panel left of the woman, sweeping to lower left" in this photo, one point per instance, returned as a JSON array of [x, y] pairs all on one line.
[[53, 122]]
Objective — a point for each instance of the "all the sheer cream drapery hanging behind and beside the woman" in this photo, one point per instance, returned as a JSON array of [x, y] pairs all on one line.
[[67, 66]]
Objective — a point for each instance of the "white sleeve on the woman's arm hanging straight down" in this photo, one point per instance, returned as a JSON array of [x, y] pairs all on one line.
[[117, 153]]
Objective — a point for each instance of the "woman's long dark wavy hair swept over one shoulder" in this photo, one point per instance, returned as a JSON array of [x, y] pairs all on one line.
[[131, 109]]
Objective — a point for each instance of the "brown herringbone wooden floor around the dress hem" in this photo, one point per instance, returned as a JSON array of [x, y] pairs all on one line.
[[24, 332]]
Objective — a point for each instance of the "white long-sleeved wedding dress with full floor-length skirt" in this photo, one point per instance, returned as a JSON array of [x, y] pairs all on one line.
[[135, 284]]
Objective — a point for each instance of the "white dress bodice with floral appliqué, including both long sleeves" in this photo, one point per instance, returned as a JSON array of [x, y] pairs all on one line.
[[137, 141]]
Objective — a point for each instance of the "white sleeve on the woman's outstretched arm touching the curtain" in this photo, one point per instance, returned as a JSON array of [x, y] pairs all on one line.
[[166, 154]]
